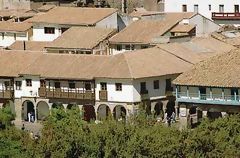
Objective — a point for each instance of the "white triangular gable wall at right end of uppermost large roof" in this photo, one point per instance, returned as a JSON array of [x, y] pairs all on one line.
[[109, 22]]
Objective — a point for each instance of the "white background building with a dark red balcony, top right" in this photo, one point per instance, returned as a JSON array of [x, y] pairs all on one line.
[[222, 12]]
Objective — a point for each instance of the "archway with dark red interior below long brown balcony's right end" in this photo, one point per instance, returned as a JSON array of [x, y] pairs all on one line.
[[88, 113]]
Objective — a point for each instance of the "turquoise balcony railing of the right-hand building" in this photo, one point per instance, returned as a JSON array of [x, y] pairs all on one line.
[[208, 98]]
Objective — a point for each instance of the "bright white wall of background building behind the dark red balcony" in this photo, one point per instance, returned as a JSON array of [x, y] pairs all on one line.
[[203, 6]]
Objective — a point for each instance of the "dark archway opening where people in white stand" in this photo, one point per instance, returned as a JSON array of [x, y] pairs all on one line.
[[27, 107]]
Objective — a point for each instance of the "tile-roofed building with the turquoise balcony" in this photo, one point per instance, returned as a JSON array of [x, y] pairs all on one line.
[[210, 89]]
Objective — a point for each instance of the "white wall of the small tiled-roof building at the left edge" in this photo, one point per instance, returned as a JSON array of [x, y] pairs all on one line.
[[8, 38]]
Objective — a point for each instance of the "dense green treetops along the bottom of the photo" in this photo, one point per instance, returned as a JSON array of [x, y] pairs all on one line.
[[65, 134]]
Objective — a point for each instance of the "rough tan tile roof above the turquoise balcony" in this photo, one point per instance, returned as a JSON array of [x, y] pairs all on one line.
[[219, 71]]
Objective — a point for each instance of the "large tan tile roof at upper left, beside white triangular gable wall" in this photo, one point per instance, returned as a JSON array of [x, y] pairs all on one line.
[[73, 15]]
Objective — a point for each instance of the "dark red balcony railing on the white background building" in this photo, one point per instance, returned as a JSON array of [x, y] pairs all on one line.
[[225, 16]]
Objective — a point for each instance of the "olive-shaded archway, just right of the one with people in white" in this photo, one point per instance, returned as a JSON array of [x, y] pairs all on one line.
[[42, 110]]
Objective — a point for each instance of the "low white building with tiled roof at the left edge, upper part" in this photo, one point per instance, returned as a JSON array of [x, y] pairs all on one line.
[[12, 31]]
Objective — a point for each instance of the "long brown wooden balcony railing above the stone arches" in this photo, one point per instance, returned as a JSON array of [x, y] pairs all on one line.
[[66, 93]]
